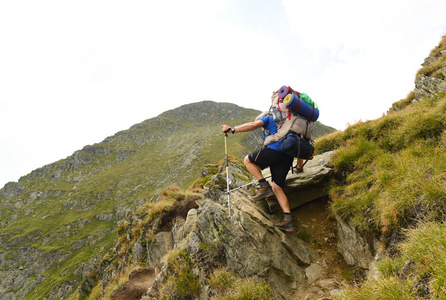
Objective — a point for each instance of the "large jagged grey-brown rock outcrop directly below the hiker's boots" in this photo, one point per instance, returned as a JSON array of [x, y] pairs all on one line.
[[248, 241]]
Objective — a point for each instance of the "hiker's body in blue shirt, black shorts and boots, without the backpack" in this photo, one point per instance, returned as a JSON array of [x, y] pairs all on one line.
[[270, 156]]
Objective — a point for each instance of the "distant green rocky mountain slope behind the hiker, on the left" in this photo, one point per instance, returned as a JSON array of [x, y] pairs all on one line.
[[59, 219]]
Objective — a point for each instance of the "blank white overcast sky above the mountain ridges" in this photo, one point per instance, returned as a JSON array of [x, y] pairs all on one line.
[[74, 72]]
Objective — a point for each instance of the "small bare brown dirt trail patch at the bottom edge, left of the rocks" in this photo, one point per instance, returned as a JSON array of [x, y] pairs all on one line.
[[139, 281]]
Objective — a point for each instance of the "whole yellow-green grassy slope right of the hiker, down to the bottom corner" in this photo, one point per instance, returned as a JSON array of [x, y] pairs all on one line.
[[391, 181]]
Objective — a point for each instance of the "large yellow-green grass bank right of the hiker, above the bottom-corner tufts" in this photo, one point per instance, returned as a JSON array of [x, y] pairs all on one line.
[[390, 169]]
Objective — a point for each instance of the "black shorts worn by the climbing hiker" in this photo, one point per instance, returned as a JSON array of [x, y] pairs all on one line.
[[278, 162]]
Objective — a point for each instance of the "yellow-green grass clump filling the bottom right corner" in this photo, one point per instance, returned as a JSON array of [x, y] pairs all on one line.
[[423, 252]]
